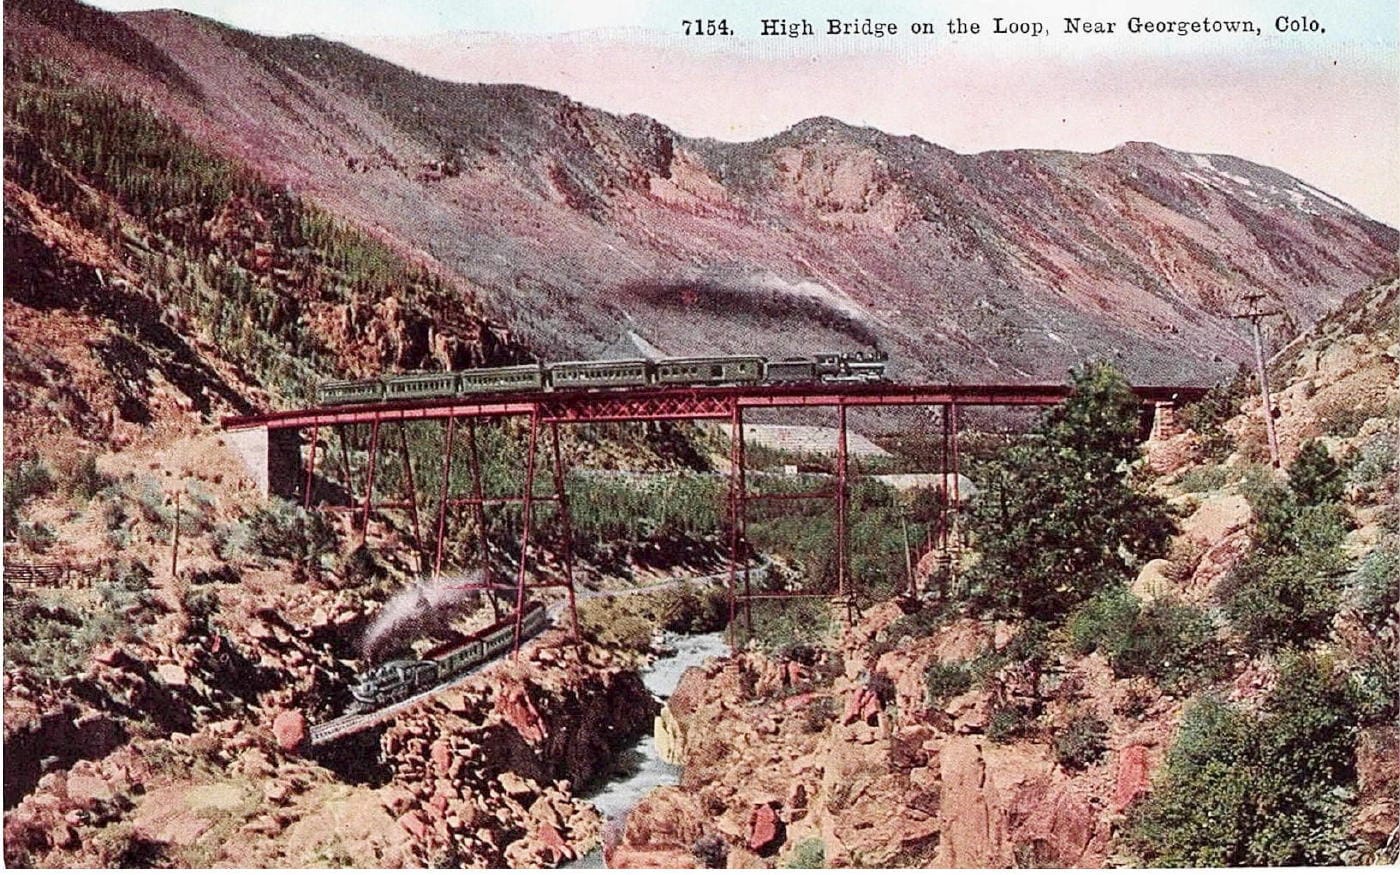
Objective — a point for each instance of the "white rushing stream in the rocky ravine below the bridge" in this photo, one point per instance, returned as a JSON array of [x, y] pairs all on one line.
[[640, 769]]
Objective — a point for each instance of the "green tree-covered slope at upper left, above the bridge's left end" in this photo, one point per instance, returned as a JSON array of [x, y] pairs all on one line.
[[247, 261]]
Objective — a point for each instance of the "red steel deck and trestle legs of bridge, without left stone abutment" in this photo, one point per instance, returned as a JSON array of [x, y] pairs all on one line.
[[716, 404]]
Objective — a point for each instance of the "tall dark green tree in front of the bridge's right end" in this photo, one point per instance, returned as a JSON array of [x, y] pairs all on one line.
[[1060, 516]]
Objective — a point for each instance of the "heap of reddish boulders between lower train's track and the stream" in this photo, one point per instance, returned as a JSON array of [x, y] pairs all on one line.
[[489, 766]]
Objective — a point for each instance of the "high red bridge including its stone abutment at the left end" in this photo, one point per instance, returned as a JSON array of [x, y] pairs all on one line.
[[288, 446]]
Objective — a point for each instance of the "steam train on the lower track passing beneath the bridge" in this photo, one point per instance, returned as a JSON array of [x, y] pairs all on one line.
[[400, 680]]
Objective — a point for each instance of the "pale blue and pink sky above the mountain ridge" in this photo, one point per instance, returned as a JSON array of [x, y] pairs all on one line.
[[1324, 106]]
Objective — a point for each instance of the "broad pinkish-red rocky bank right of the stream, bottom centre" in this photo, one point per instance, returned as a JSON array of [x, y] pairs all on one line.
[[898, 783]]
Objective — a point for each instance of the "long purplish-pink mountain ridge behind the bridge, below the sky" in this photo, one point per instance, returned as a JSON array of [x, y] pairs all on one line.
[[573, 226]]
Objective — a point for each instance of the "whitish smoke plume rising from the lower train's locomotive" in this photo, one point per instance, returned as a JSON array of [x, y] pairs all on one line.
[[426, 608]]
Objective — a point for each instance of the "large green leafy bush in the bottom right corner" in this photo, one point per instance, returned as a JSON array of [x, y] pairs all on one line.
[[1269, 789]]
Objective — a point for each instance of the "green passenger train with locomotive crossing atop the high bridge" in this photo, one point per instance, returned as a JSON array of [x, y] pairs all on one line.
[[622, 373]]
